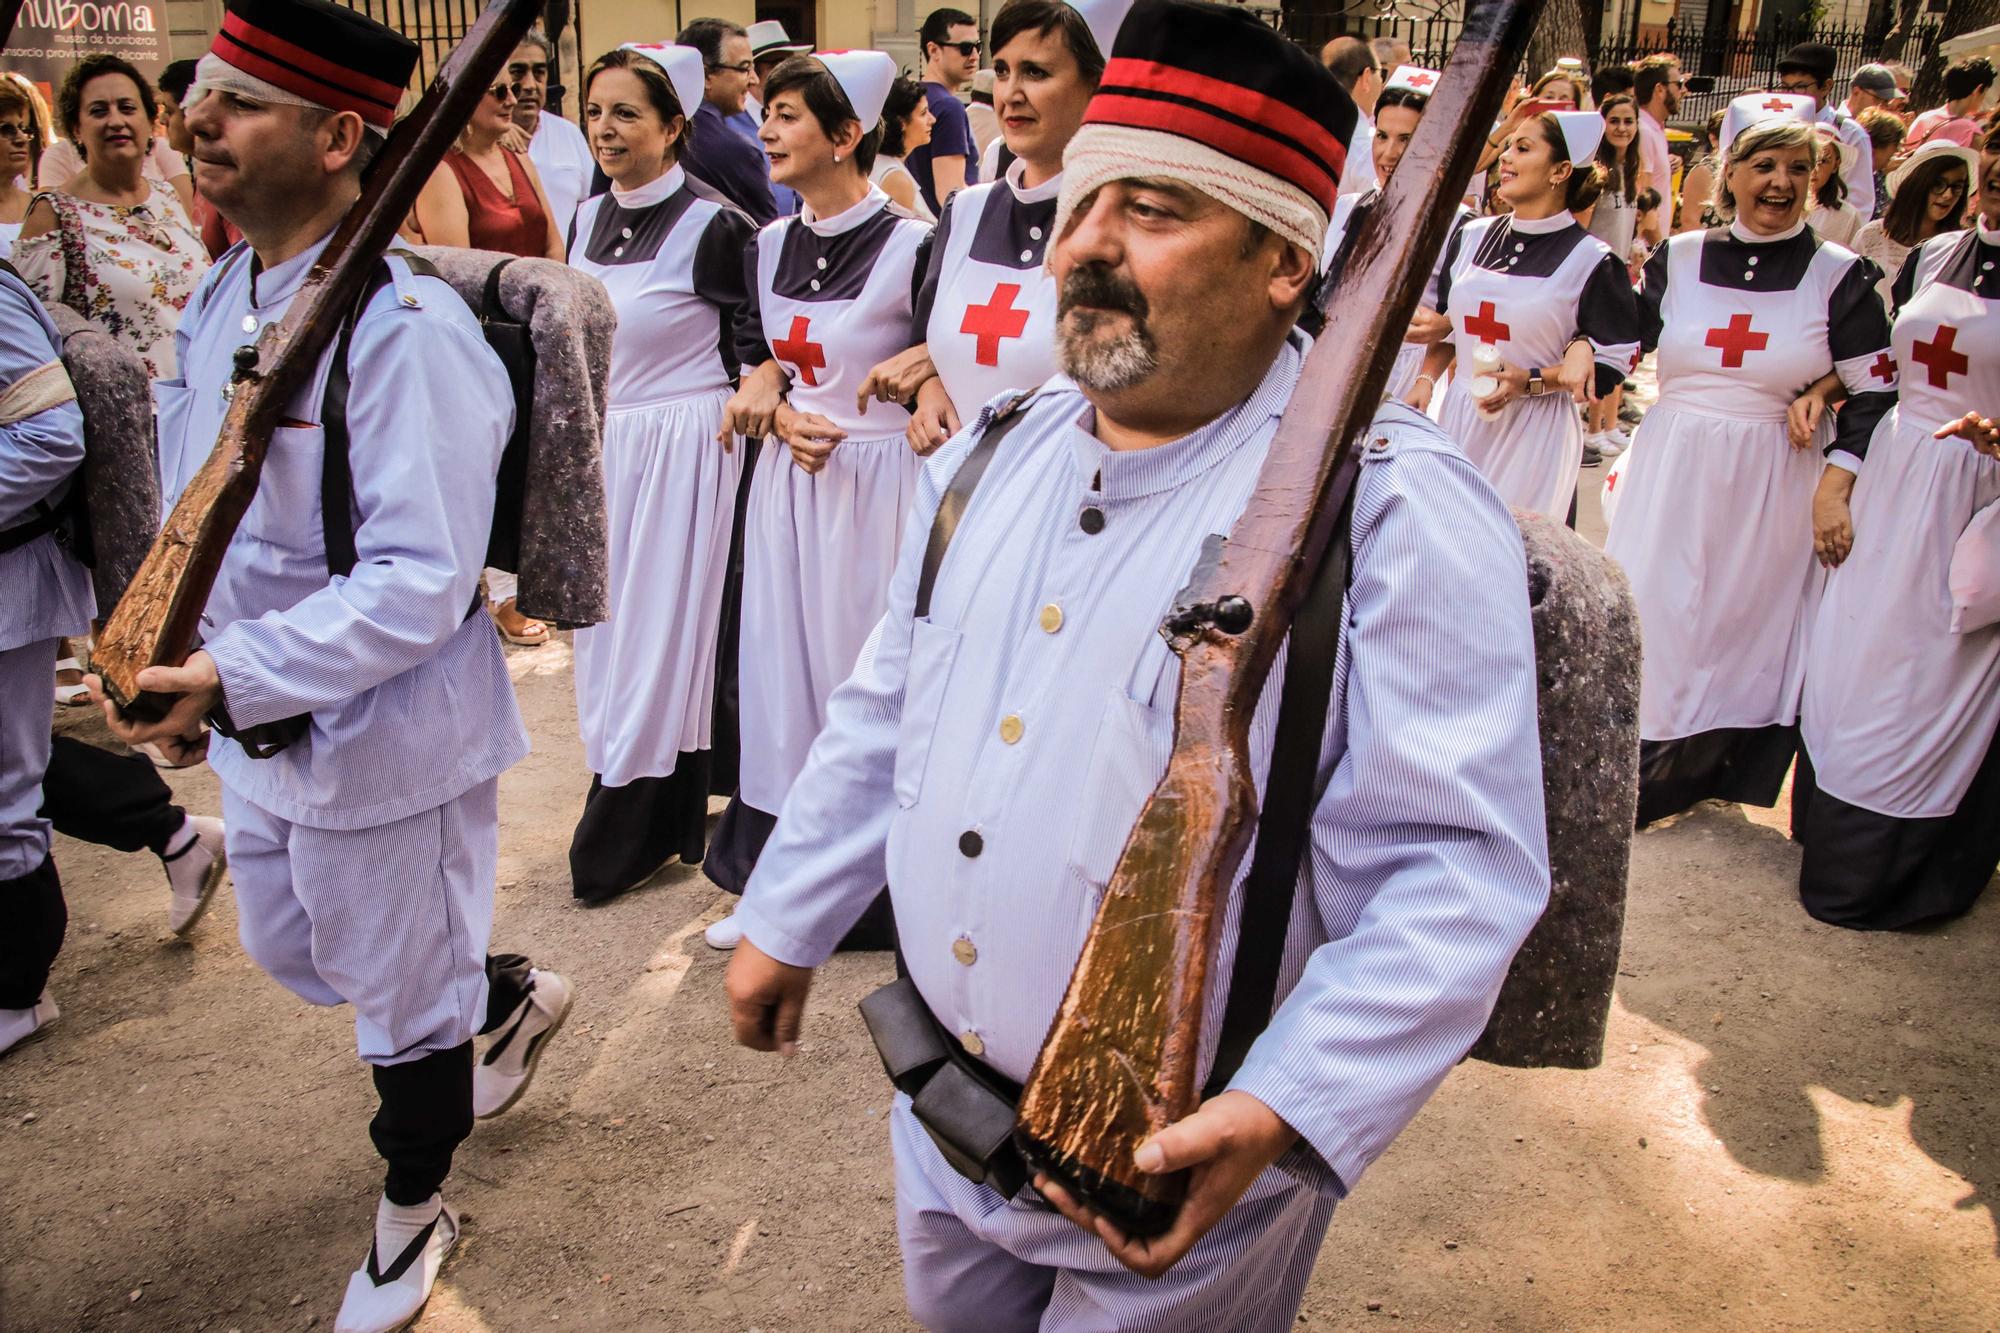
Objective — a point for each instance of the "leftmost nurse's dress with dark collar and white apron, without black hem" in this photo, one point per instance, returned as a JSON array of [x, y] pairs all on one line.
[[645, 680]]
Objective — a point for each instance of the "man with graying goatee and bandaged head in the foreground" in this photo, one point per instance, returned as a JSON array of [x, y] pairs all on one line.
[[995, 746]]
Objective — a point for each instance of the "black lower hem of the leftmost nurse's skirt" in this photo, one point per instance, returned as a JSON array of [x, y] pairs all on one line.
[[631, 832]]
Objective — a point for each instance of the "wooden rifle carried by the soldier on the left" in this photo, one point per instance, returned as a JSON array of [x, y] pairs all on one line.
[[159, 615]]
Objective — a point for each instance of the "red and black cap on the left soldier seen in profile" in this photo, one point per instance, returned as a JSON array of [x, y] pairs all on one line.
[[321, 53]]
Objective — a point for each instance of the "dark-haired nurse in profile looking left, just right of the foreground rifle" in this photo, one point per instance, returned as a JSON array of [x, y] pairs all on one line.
[[1543, 319]]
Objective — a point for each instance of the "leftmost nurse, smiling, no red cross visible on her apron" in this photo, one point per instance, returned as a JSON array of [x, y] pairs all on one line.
[[671, 257]]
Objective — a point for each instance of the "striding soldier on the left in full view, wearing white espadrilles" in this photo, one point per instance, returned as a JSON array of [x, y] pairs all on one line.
[[365, 850]]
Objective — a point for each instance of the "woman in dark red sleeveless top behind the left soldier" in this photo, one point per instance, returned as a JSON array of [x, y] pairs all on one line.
[[489, 197]]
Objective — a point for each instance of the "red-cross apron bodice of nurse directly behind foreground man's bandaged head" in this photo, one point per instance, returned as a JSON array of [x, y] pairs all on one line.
[[989, 303]]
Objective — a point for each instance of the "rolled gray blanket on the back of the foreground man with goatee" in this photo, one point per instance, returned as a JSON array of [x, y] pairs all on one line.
[[1559, 994]]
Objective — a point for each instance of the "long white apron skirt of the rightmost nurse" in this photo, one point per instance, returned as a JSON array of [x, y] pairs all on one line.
[[1899, 710]]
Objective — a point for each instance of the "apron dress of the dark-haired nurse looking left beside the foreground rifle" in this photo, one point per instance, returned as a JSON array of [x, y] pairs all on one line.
[[1529, 289]]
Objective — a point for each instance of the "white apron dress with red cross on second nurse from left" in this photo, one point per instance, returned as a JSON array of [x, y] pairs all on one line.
[[831, 301]]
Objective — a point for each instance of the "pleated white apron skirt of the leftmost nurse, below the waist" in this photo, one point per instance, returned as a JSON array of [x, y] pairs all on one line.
[[645, 680]]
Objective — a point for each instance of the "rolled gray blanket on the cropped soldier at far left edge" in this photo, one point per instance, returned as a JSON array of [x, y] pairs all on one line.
[[121, 453]]
